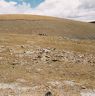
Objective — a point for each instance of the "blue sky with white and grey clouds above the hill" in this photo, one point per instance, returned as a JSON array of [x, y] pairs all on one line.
[[83, 10]]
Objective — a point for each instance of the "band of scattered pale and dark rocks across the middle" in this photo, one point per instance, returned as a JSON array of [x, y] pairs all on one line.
[[35, 54]]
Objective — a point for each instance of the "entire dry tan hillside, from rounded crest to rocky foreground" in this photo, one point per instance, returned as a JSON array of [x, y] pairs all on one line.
[[46, 56]]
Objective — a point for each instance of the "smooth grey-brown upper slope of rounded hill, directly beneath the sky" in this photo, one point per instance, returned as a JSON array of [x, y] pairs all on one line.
[[46, 25]]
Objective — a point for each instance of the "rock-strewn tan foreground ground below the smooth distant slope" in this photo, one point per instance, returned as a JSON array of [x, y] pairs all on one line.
[[28, 67]]
